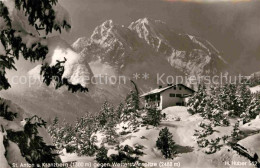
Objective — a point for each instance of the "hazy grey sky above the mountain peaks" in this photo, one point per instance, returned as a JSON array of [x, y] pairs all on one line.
[[233, 26]]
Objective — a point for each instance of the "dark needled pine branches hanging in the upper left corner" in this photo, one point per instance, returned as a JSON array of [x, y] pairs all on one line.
[[41, 16]]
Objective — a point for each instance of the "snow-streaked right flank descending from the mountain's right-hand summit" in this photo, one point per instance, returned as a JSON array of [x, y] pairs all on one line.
[[192, 55]]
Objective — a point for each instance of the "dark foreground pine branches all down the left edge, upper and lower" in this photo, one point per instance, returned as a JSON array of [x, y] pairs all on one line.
[[42, 18]]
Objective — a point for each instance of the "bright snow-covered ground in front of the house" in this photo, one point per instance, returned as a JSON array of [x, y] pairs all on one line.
[[188, 153]]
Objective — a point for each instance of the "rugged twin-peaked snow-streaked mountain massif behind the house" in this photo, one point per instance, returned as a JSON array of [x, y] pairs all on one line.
[[153, 42]]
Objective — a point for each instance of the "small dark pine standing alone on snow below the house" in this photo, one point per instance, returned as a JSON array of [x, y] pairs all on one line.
[[165, 143]]
